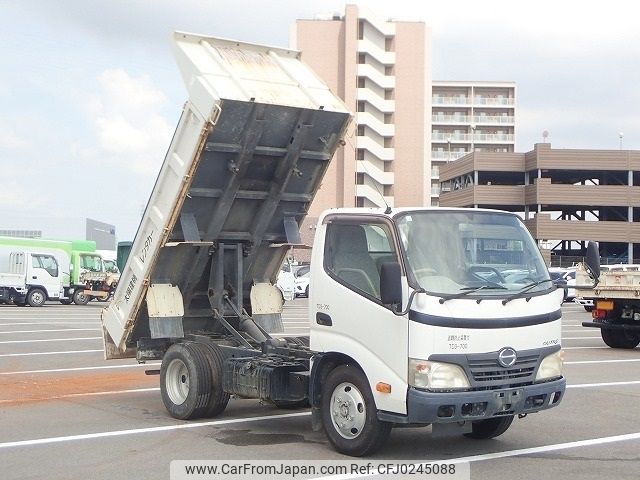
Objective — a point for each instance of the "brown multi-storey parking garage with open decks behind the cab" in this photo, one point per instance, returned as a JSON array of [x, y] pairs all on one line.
[[565, 196]]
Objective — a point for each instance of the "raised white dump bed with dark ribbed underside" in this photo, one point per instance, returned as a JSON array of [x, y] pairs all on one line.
[[248, 155]]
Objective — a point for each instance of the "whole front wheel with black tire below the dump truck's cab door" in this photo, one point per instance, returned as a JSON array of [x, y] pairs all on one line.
[[349, 414]]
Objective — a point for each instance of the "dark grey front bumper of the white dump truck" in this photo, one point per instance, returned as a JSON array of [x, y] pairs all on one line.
[[433, 407]]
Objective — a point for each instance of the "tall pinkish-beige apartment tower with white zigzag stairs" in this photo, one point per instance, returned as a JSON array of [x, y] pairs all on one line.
[[381, 69]]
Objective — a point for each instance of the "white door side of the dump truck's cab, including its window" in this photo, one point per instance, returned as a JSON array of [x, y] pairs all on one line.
[[347, 314]]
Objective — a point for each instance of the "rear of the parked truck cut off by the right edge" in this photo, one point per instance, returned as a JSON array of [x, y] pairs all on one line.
[[615, 292]]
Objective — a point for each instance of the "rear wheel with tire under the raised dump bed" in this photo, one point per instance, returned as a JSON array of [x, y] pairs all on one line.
[[185, 381]]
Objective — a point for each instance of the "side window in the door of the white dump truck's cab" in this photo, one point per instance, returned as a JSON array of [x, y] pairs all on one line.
[[354, 253]]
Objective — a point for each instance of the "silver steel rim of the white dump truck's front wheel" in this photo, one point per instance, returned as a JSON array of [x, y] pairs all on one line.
[[348, 411]]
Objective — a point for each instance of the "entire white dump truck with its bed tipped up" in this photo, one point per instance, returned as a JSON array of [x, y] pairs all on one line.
[[411, 320]]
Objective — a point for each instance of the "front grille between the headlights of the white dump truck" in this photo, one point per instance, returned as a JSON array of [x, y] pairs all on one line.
[[486, 372]]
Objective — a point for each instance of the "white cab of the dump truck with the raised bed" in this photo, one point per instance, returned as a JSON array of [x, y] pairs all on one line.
[[415, 303]]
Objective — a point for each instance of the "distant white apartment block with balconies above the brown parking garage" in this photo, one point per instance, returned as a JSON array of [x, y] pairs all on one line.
[[466, 117]]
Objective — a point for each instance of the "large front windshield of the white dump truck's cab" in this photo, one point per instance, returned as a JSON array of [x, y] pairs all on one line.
[[453, 252]]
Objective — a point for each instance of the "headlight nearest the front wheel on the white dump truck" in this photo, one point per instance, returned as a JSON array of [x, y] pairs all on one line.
[[437, 375]]
